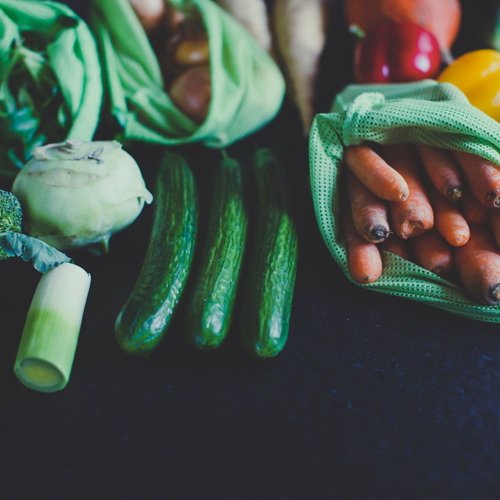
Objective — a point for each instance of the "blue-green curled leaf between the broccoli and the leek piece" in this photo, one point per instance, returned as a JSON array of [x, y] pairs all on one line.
[[43, 256]]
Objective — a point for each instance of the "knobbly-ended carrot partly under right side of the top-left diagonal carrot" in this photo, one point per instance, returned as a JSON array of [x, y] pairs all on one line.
[[414, 215]]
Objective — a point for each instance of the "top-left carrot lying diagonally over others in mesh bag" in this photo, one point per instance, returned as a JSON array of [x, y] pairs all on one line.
[[374, 172]]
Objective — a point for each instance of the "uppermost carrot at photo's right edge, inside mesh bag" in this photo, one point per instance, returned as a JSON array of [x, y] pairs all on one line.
[[482, 176]]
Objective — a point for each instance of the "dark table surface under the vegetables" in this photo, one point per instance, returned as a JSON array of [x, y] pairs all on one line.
[[373, 397]]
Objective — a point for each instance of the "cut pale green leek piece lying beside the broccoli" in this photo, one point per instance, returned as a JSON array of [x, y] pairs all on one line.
[[50, 335]]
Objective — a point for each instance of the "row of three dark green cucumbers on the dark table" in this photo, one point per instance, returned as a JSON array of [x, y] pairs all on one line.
[[206, 277]]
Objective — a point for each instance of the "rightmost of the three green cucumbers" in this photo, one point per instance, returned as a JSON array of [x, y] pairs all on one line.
[[271, 262]]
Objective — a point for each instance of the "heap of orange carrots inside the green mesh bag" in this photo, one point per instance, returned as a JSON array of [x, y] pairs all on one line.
[[437, 208]]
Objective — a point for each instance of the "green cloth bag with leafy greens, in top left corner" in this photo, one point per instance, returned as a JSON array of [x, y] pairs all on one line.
[[51, 79]]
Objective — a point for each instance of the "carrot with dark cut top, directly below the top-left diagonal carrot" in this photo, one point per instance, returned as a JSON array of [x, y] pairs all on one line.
[[368, 212]]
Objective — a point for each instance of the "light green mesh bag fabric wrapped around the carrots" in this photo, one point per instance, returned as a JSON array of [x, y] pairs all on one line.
[[425, 112]]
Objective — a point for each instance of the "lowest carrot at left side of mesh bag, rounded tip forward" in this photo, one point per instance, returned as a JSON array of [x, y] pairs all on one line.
[[363, 257]]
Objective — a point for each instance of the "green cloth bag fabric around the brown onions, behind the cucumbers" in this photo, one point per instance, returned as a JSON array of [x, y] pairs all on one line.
[[247, 86]]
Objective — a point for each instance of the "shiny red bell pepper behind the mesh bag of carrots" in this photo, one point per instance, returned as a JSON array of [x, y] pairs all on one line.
[[396, 52]]
